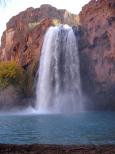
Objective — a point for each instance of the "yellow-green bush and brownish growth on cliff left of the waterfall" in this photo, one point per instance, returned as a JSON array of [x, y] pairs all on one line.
[[12, 74]]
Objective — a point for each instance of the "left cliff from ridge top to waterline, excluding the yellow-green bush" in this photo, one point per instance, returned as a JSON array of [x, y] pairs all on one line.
[[22, 41]]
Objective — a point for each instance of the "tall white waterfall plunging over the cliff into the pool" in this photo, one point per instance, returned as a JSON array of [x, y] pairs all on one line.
[[59, 87]]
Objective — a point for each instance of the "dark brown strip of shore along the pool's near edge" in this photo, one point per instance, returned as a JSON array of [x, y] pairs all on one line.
[[56, 149]]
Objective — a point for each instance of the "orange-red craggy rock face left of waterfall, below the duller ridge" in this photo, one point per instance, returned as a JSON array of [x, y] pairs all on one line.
[[21, 44]]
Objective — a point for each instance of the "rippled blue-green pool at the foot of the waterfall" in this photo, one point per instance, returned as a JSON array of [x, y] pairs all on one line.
[[82, 128]]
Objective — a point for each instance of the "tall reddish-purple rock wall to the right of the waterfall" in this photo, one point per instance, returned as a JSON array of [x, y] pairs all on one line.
[[97, 52]]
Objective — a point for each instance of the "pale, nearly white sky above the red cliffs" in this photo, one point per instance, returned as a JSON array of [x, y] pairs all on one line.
[[15, 6]]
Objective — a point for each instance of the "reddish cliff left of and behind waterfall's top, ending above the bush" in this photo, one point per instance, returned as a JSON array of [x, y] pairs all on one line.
[[24, 35]]
